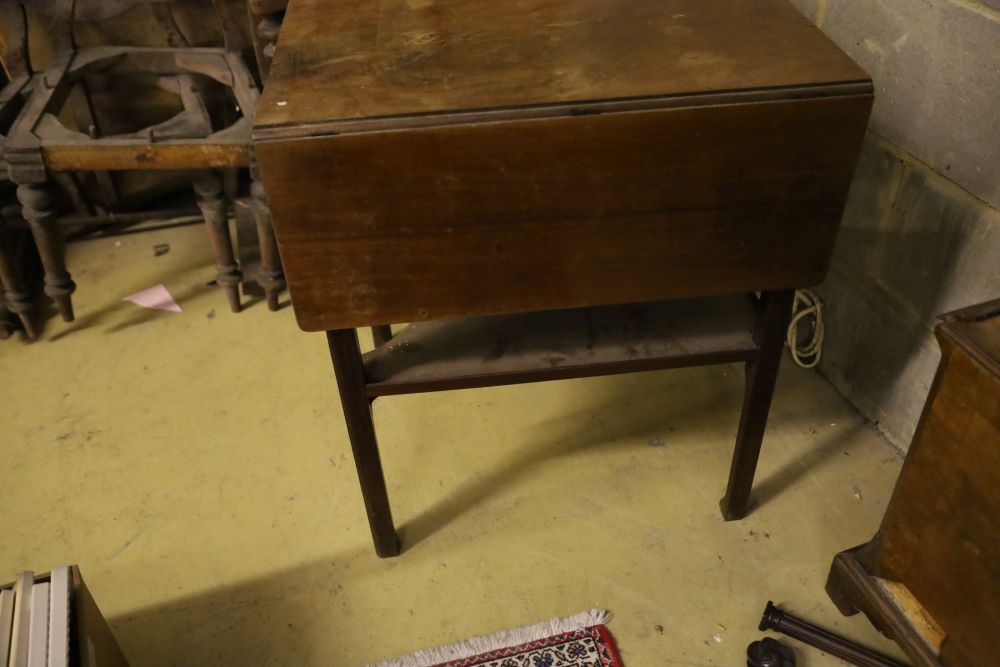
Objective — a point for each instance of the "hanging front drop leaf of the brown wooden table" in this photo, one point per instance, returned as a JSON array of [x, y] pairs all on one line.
[[528, 215]]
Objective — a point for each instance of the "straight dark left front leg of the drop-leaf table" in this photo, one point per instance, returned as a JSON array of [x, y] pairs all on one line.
[[346, 355]]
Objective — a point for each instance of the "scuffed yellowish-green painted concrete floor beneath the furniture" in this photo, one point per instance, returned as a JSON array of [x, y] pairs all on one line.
[[197, 468]]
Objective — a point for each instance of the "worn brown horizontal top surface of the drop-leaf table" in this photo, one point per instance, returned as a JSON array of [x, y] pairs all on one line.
[[341, 62]]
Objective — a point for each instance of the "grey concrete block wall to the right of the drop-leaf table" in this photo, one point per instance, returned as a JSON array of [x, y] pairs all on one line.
[[921, 232]]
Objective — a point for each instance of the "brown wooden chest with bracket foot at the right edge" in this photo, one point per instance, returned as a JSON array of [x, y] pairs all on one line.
[[931, 577]]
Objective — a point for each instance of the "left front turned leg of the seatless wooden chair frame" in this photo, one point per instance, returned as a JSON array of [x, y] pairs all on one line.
[[38, 208]]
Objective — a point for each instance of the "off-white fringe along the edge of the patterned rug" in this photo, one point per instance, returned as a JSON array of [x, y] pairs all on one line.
[[498, 640]]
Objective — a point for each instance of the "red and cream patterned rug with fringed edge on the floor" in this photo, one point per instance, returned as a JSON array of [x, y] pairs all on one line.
[[575, 641]]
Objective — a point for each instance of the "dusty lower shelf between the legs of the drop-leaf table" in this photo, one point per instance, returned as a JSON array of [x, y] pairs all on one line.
[[551, 345]]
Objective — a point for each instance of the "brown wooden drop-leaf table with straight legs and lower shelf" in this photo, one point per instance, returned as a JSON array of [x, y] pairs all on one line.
[[468, 165]]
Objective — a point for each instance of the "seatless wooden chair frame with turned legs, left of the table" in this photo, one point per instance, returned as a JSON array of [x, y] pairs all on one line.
[[39, 143]]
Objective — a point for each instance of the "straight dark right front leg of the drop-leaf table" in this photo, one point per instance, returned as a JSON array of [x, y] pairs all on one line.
[[761, 374]]
